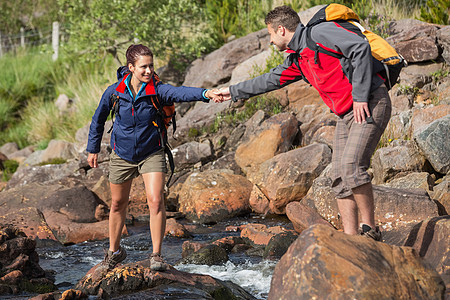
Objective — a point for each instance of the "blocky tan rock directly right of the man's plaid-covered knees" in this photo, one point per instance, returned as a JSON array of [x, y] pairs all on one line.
[[399, 157]]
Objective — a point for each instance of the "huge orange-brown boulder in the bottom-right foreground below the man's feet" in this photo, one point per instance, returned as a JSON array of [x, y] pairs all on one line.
[[324, 263]]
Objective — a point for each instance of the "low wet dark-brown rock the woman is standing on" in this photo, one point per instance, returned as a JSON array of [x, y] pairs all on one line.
[[137, 280]]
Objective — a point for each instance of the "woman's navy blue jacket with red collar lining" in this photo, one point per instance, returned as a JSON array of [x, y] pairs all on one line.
[[134, 137]]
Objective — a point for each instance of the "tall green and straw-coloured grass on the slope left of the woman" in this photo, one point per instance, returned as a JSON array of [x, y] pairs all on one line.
[[32, 82]]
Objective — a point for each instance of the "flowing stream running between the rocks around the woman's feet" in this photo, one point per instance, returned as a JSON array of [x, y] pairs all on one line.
[[253, 273]]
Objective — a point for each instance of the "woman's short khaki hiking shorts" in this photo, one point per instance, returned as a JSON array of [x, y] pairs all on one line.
[[121, 170]]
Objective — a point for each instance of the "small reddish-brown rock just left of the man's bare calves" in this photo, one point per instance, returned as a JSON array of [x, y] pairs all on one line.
[[303, 216]]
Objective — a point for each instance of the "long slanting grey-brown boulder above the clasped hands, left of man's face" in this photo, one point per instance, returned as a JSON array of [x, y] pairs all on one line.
[[216, 68]]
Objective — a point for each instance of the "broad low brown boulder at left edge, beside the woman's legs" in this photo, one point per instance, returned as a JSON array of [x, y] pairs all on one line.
[[67, 214]]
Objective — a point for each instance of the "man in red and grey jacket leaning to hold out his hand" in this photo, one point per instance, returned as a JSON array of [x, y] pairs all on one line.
[[351, 88]]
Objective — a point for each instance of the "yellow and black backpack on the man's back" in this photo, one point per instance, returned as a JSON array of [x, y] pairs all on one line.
[[385, 54]]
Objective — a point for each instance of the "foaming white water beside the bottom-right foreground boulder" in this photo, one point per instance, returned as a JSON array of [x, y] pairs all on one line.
[[253, 277]]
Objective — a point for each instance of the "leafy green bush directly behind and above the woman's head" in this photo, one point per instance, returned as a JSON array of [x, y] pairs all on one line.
[[171, 28]]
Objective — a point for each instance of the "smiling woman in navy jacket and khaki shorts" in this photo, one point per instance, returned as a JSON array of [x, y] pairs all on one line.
[[136, 146]]
